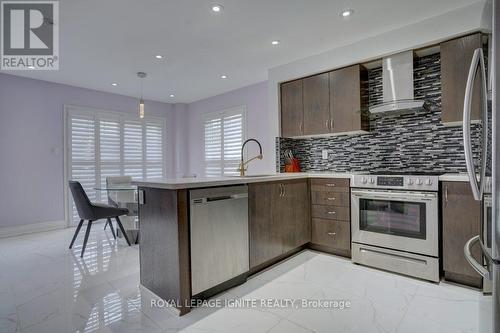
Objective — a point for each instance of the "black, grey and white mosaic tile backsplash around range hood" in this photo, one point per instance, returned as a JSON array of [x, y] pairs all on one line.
[[397, 142]]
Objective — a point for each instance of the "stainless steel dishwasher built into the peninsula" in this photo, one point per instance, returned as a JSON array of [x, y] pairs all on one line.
[[219, 236]]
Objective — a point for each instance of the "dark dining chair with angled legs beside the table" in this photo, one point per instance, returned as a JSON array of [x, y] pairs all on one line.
[[91, 212]]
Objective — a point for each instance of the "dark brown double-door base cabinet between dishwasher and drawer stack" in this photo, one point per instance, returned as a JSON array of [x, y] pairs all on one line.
[[279, 219]]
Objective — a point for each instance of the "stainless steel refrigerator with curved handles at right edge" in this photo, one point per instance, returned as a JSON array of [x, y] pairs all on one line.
[[483, 168]]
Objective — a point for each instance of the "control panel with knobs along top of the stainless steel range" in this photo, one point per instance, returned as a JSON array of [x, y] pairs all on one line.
[[404, 182]]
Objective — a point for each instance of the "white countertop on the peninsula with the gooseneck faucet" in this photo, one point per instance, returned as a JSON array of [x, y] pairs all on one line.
[[185, 183]]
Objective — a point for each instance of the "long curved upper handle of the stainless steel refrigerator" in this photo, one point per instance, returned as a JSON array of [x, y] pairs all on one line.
[[477, 189]]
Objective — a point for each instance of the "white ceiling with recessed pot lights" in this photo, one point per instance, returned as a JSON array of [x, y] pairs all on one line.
[[109, 41]]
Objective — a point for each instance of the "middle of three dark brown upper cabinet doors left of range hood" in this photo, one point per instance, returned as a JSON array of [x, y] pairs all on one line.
[[316, 104]]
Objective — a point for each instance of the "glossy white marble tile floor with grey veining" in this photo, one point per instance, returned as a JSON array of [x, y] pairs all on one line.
[[44, 287]]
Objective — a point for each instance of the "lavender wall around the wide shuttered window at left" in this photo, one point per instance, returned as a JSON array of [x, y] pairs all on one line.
[[31, 144]]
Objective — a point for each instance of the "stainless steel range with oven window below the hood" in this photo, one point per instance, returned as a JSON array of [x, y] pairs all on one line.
[[395, 223]]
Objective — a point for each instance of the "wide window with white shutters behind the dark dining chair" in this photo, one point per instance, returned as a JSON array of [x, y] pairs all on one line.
[[100, 144]]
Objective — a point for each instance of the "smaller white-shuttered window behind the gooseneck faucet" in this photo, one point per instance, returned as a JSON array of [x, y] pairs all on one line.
[[224, 133]]
